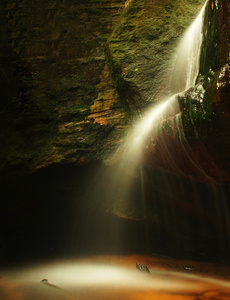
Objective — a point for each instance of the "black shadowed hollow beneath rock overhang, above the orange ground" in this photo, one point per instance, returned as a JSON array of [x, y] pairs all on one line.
[[65, 211]]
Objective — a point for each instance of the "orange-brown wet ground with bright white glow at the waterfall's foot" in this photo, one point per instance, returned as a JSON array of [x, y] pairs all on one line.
[[115, 277]]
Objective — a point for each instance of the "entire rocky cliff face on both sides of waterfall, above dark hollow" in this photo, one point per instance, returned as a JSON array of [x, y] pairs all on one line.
[[74, 74]]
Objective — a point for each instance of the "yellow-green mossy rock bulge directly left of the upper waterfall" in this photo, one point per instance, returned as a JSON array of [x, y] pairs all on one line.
[[140, 50]]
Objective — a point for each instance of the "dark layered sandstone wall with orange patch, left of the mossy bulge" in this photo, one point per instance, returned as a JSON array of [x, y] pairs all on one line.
[[58, 102]]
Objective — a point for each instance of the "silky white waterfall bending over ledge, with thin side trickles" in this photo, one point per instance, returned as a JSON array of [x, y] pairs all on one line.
[[182, 76]]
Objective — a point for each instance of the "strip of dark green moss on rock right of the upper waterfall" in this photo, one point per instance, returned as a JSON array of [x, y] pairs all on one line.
[[210, 64]]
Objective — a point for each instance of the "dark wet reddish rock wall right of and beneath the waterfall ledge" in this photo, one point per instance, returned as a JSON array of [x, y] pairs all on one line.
[[197, 143]]
